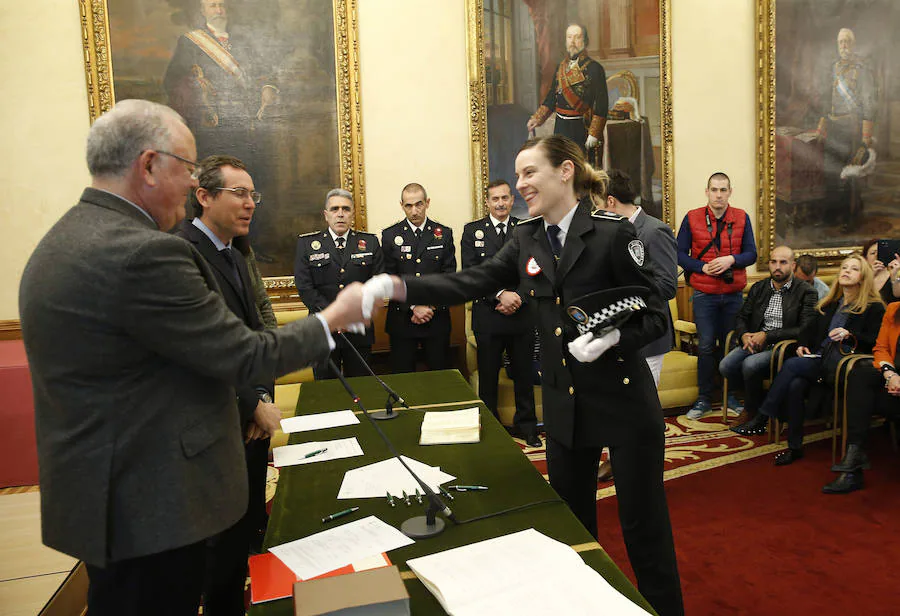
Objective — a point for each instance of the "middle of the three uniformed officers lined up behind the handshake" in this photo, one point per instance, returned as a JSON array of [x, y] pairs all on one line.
[[416, 246]]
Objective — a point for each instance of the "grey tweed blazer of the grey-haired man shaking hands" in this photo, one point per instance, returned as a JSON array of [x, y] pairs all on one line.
[[133, 354]]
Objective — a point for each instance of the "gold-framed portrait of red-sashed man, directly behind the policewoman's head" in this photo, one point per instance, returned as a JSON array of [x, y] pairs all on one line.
[[597, 71]]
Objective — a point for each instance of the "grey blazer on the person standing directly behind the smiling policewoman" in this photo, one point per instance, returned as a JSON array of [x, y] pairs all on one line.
[[662, 257]]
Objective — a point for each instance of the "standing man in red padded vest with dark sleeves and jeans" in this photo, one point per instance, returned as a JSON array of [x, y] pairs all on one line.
[[715, 246]]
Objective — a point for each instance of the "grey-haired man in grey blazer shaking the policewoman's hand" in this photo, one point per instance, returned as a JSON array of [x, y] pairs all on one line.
[[133, 354]]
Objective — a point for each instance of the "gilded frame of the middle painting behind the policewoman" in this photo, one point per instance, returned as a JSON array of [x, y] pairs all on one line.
[[479, 103]]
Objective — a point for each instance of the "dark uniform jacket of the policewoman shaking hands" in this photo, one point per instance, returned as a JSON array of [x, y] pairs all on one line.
[[613, 400]]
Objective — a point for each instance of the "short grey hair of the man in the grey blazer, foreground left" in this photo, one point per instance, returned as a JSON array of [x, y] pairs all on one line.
[[118, 137]]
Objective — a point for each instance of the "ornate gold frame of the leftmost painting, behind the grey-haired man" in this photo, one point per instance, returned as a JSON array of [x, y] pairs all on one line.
[[101, 95]]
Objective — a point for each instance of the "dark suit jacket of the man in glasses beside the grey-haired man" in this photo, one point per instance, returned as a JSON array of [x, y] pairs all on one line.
[[240, 300]]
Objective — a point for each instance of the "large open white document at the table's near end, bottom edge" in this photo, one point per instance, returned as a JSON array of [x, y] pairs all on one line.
[[494, 577]]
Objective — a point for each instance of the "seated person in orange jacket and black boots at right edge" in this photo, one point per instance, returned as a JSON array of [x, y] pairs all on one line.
[[871, 389]]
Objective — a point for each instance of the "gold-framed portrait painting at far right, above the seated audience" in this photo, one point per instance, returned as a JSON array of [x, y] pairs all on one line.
[[830, 127]]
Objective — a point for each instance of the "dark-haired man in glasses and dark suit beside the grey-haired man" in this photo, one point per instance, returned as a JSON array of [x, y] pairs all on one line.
[[223, 206]]
